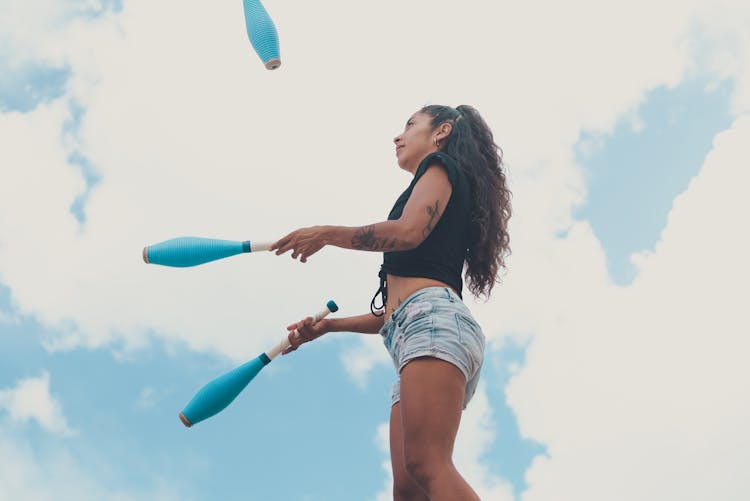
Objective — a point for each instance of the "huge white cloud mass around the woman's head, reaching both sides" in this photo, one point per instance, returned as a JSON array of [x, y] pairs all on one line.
[[191, 136]]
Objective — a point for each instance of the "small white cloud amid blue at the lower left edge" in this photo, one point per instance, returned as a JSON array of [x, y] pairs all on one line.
[[31, 400]]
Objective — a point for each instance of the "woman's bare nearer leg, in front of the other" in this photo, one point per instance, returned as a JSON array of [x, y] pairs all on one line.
[[432, 395]]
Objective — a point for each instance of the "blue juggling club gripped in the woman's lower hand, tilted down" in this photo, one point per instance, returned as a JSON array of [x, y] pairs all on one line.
[[219, 393]]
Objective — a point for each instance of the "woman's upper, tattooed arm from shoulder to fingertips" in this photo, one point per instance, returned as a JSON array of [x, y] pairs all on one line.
[[421, 213]]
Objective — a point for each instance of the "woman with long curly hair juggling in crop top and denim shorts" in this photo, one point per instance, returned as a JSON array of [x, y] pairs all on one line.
[[454, 213]]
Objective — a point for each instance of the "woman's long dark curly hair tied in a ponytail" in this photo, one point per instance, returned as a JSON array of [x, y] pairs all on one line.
[[472, 145]]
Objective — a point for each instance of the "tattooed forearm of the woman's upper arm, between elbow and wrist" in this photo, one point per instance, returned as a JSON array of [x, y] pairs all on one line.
[[386, 236]]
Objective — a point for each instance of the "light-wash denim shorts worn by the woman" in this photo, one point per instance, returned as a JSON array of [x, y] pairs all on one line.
[[435, 322]]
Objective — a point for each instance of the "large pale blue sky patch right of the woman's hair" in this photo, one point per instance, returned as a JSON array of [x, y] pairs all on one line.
[[634, 174]]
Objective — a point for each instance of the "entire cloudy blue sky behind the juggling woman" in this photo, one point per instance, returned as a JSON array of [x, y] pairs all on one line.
[[616, 343]]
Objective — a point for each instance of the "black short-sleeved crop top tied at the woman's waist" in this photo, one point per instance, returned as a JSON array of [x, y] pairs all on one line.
[[441, 255]]
